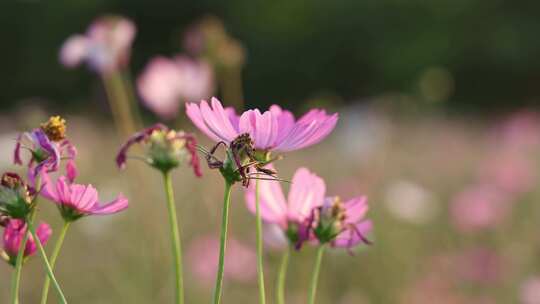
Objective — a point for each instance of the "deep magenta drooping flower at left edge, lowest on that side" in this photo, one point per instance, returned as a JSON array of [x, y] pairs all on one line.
[[13, 235]]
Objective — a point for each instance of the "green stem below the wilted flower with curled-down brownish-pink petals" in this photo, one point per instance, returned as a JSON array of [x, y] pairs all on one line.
[[175, 239]]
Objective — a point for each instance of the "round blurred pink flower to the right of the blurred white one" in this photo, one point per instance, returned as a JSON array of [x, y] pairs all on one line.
[[479, 207]]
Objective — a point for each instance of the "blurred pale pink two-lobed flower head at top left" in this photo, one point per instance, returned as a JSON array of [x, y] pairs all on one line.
[[105, 47]]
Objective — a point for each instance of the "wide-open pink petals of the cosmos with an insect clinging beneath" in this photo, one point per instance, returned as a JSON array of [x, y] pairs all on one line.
[[275, 129]]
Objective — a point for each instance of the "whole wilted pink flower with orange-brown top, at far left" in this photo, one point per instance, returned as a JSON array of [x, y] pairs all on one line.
[[47, 145]]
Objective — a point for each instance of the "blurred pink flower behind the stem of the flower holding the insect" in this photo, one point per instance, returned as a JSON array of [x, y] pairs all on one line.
[[240, 260]]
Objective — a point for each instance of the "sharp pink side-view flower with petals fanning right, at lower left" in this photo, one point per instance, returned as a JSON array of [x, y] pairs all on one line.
[[75, 200]]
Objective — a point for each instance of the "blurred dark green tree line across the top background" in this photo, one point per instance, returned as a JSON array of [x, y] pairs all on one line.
[[488, 51]]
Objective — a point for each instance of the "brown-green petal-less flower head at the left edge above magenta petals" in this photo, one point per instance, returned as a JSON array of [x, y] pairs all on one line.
[[15, 196]]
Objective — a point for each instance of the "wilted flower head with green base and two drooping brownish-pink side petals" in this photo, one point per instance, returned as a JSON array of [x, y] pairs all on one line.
[[166, 149]]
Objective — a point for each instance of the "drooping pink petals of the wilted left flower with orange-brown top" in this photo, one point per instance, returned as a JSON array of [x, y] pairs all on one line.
[[37, 141]]
